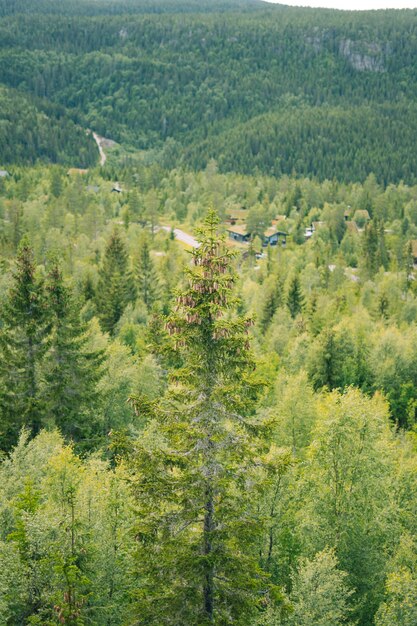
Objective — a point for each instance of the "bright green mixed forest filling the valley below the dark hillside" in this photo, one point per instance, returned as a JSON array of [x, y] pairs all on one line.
[[297, 363]]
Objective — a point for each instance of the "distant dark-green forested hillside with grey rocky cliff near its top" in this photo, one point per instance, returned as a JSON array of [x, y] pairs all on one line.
[[252, 85]]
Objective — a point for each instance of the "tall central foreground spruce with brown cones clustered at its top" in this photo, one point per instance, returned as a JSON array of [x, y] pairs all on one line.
[[197, 465]]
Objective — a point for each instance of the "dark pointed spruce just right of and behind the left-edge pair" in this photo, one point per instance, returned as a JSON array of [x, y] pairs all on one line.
[[115, 287]]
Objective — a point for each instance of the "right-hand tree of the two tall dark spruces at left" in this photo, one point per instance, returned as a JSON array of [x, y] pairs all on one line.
[[70, 371]]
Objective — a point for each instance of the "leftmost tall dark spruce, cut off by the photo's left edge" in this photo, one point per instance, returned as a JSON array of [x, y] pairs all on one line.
[[22, 348]]
